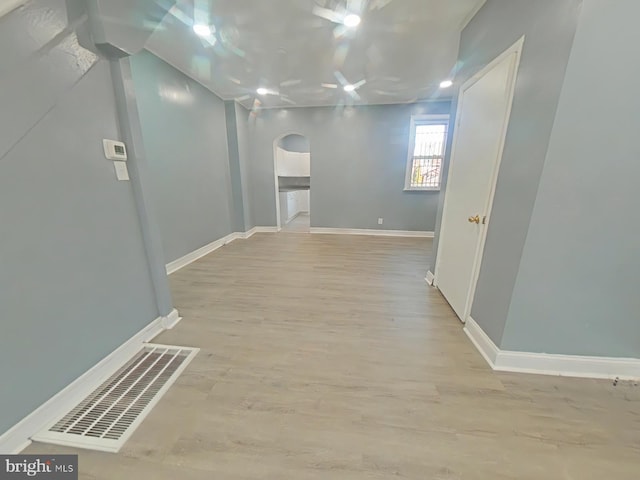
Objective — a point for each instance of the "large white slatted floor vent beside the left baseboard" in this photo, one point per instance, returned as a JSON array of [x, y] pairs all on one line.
[[108, 416]]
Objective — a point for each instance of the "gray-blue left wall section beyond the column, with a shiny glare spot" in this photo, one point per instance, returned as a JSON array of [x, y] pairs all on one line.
[[185, 136]]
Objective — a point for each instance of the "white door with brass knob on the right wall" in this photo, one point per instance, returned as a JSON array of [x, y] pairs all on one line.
[[483, 112]]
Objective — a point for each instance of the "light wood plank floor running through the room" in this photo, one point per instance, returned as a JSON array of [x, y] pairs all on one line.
[[328, 357]]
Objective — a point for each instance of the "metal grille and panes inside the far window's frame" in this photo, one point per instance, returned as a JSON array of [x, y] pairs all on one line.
[[427, 157]]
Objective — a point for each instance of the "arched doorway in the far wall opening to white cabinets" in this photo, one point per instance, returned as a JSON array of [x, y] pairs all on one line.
[[292, 166]]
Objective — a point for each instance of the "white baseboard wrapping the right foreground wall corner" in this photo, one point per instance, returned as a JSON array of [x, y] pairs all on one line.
[[550, 363]]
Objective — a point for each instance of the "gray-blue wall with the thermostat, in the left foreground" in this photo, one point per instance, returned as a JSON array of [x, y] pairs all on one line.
[[74, 279]]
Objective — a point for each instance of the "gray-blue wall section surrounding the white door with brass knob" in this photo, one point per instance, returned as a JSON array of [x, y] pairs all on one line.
[[549, 27]]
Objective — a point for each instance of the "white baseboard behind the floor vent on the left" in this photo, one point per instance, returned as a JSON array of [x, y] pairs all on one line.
[[18, 437]]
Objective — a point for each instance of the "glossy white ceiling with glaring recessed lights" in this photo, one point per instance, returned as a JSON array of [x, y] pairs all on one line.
[[402, 48]]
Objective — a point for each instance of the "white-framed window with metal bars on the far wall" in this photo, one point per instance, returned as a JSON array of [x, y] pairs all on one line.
[[426, 152]]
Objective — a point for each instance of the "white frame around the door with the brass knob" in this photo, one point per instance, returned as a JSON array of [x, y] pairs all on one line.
[[516, 49]]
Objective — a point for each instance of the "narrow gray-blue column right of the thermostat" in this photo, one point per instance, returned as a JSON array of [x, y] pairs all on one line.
[[131, 133]]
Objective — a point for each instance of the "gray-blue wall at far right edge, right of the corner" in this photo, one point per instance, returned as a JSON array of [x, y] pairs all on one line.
[[577, 287]]
